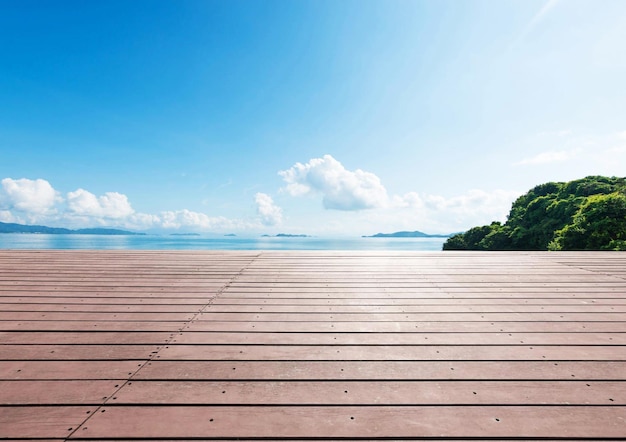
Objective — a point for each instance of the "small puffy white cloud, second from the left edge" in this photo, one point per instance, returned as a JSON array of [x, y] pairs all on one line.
[[111, 205]]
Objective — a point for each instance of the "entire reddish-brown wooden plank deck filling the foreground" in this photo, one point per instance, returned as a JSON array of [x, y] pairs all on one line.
[[133, 345]]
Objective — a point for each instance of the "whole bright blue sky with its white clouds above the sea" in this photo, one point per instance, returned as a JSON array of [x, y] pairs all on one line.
[[322, 117]]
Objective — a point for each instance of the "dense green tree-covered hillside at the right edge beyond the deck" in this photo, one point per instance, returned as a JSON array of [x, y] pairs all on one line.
[[585, 214]]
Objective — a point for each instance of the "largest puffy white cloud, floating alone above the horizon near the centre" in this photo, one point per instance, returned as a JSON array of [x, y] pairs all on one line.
[[341, 189]]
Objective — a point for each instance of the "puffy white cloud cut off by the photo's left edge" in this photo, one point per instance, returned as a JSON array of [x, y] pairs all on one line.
[[34, 197]]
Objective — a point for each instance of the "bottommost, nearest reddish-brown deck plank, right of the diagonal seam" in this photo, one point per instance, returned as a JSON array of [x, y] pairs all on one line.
[[356, 422]]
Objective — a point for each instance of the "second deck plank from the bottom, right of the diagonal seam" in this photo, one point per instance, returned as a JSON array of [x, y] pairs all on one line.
[[379, 393]]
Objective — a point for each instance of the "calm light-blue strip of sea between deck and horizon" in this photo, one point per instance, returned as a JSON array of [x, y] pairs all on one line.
[[170, 242]]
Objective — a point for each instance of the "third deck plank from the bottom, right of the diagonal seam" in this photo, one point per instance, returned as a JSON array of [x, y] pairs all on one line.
[[382, 370]]
